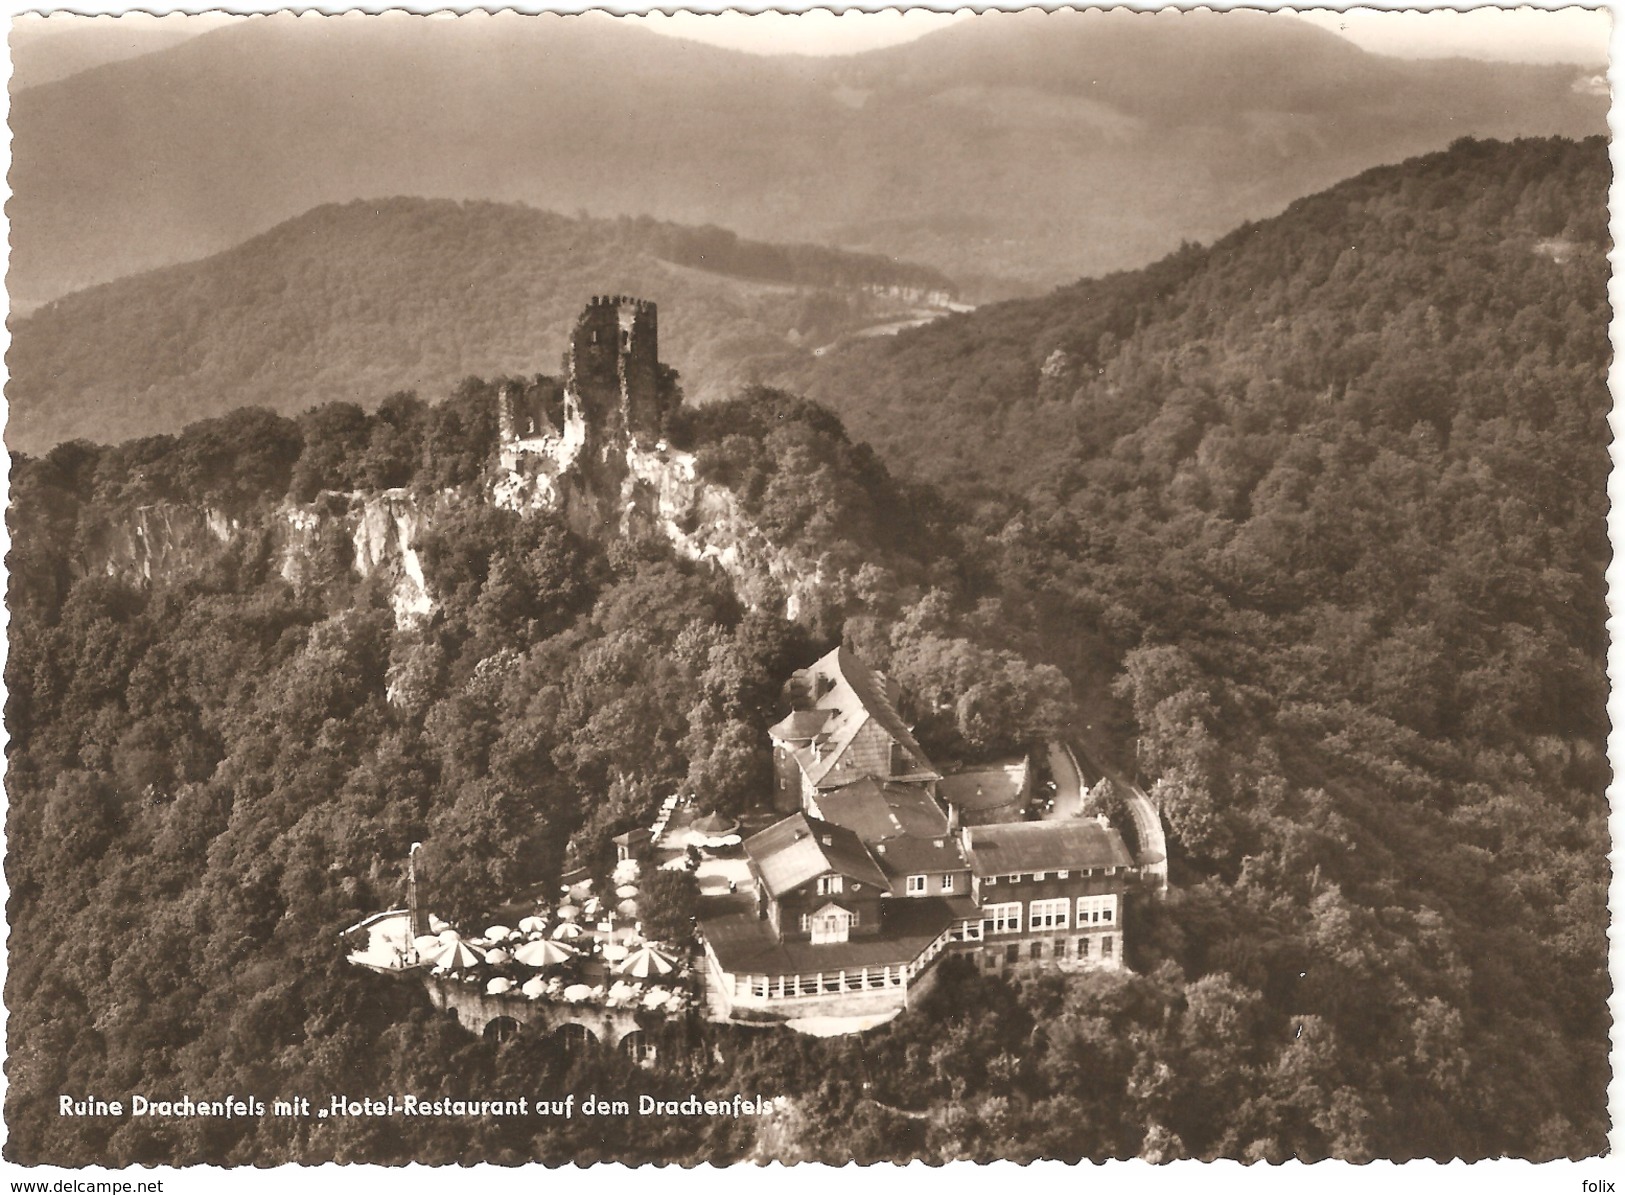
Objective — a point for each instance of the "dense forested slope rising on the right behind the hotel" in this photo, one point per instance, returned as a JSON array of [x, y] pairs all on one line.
[[1333, 493]]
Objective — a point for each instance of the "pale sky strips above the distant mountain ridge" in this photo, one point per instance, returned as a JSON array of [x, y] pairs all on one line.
[[1525, 35]]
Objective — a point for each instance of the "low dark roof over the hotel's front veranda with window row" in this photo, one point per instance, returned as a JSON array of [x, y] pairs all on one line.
[[747, 947]]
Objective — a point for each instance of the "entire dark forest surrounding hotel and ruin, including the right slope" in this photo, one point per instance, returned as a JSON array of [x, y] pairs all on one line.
[[1312, 518]]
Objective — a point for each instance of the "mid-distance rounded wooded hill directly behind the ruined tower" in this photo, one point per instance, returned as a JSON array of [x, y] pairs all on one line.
[[355, 302]]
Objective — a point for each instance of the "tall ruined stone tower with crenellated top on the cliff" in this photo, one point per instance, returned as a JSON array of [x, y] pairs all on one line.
[[613, 368]]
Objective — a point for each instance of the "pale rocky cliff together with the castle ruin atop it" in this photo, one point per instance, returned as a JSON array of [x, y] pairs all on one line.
[[602, 467]]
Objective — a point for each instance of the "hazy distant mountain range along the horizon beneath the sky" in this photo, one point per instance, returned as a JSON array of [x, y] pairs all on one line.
[[1031, 146]]
